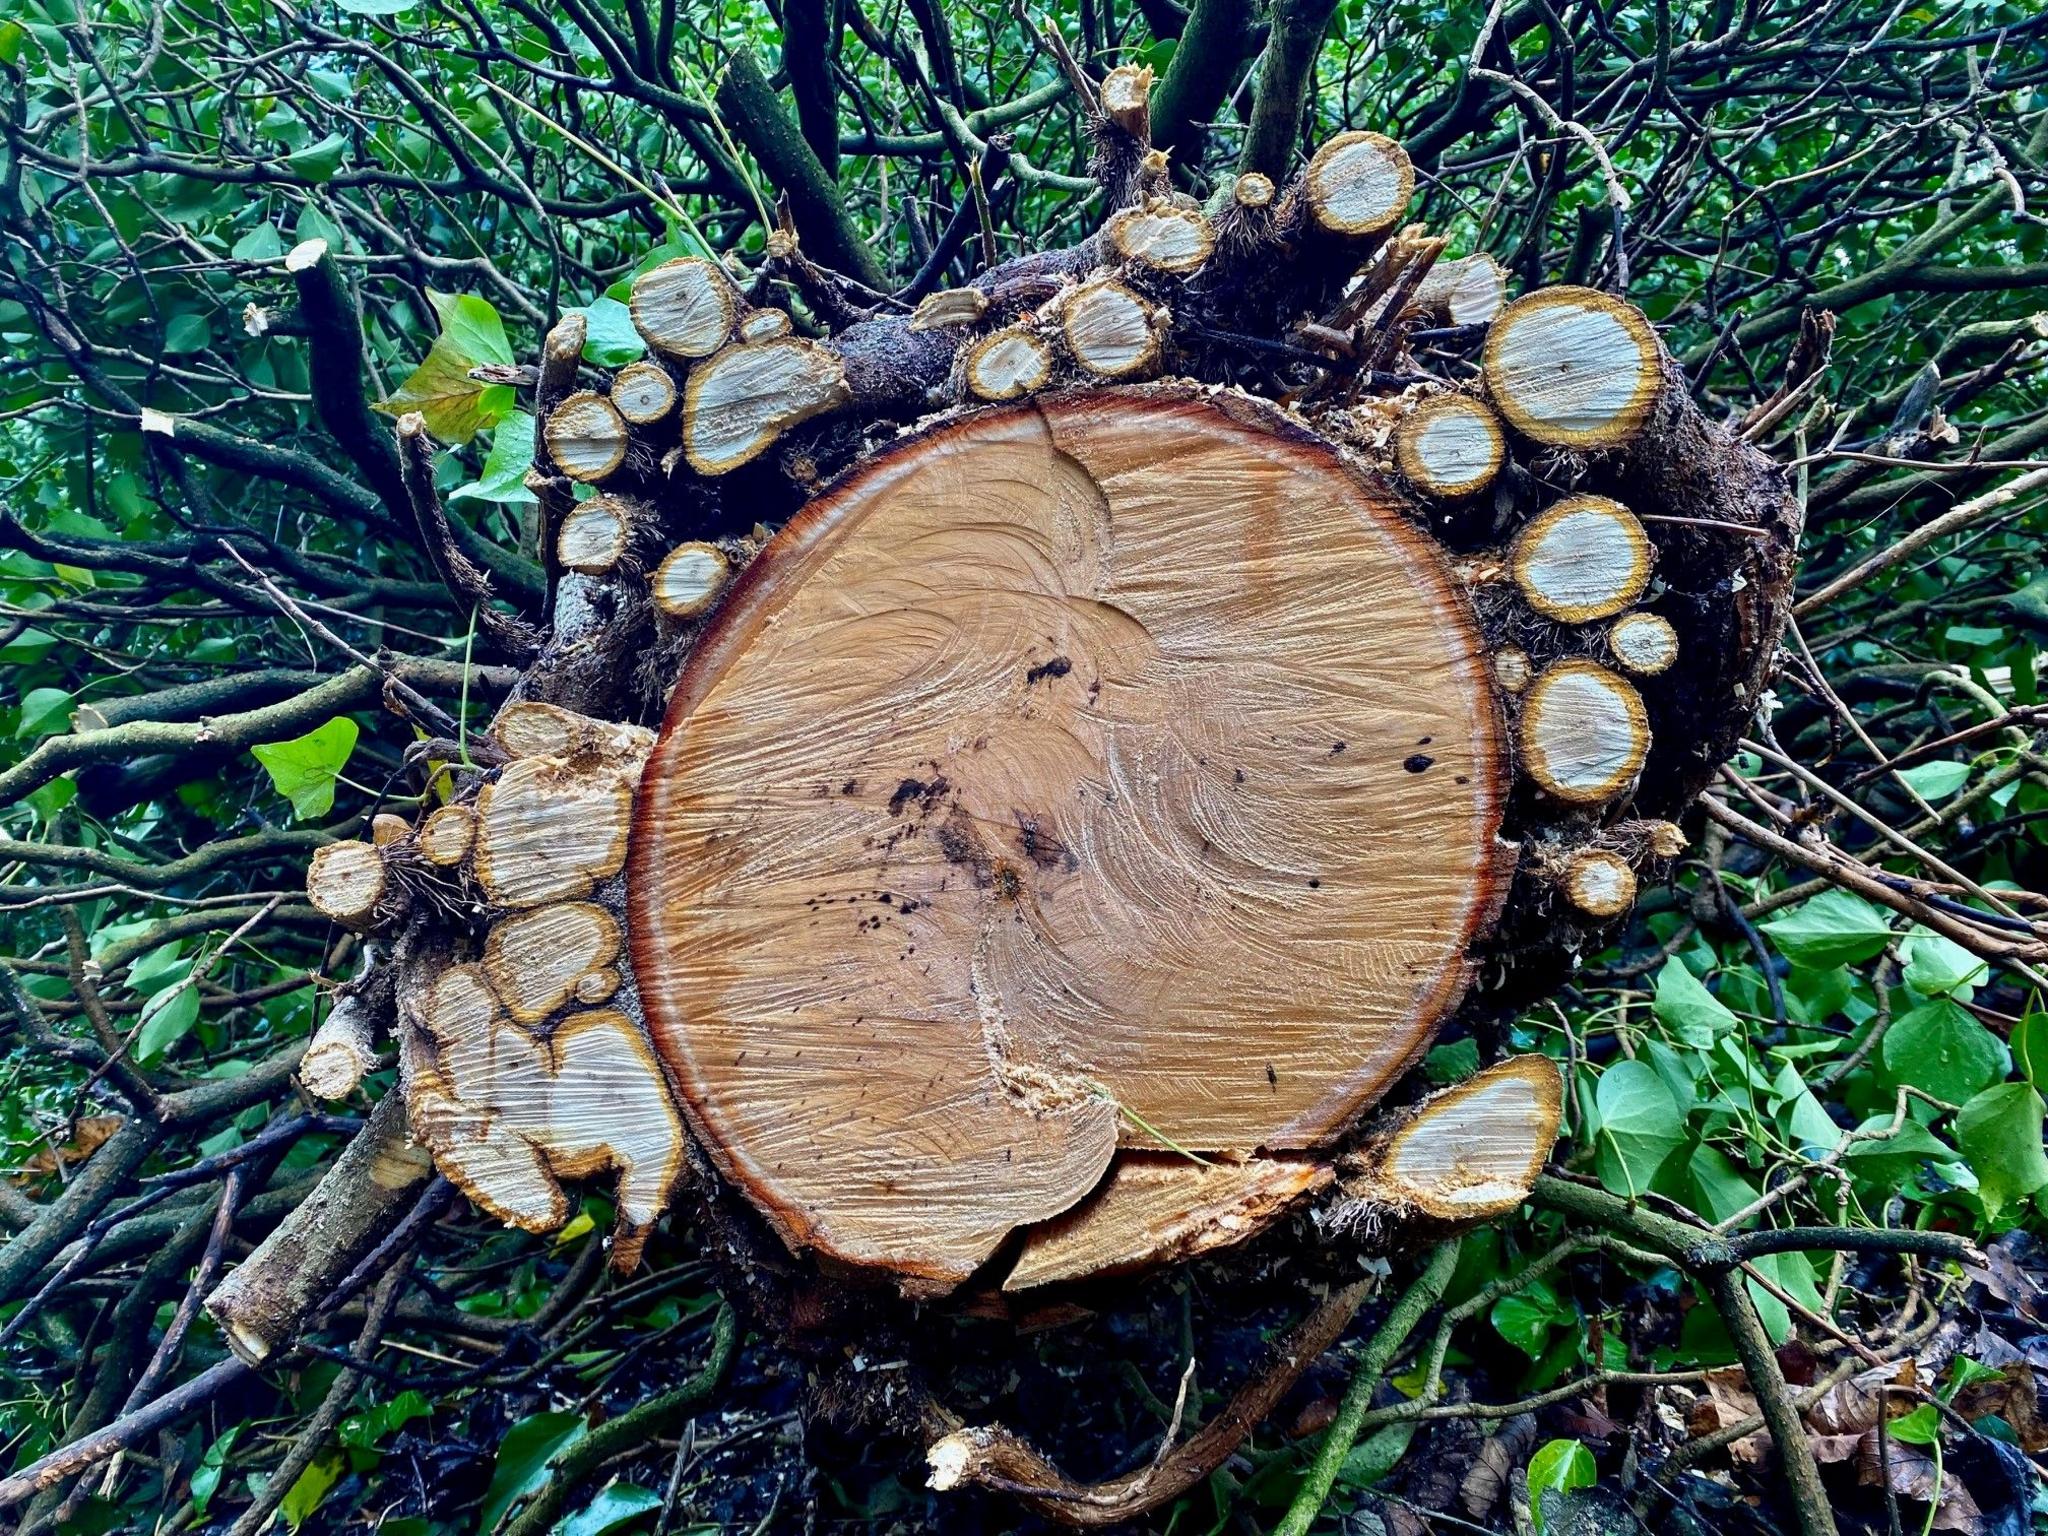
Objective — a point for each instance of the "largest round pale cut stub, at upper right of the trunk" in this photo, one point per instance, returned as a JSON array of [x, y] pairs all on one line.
[[1574, 368]]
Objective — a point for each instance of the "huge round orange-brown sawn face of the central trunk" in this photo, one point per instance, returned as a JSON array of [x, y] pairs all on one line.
[[968, 835]]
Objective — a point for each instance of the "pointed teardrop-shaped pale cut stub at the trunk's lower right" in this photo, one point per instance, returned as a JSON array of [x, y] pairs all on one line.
[[1471, 1152]]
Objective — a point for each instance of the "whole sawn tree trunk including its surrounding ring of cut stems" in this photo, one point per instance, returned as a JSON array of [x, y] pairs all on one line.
[[1113, 718]]
